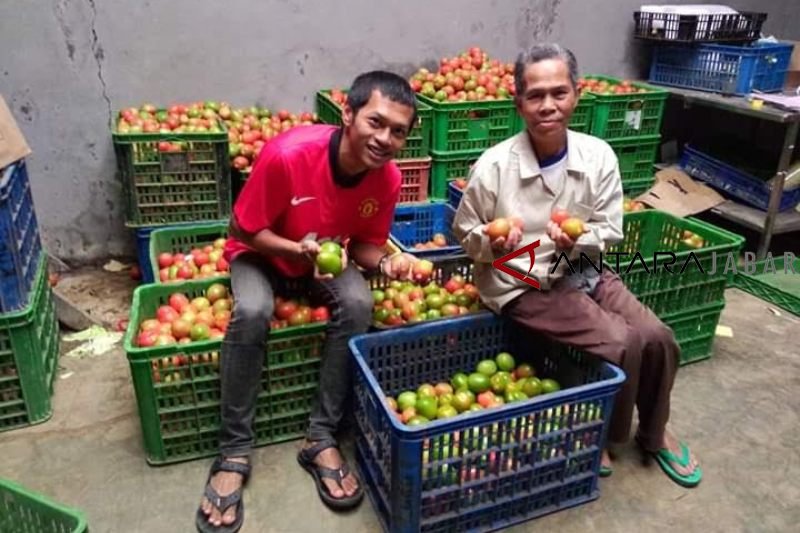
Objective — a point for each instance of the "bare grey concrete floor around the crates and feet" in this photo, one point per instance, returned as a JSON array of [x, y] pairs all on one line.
[[740, 411]]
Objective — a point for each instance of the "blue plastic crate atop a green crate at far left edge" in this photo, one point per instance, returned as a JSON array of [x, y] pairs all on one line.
[[20, 244]]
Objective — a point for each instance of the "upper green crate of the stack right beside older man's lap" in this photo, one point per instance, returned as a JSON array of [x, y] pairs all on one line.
[[651, 231]]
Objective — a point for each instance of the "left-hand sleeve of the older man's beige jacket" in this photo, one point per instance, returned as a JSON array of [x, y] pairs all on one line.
[[477, 209]]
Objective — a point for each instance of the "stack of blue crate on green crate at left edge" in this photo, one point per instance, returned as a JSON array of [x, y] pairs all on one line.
[[29, 340]]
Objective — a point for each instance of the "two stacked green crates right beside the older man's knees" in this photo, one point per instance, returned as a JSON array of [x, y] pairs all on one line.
[[689, 295]]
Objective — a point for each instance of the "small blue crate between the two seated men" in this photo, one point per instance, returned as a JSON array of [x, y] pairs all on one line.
[[418, 223]]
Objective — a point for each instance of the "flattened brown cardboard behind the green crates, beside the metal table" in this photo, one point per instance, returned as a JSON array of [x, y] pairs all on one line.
[[677, 193]]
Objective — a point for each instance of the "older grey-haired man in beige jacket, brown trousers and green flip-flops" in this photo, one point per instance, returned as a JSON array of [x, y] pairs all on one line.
[[530, 175]]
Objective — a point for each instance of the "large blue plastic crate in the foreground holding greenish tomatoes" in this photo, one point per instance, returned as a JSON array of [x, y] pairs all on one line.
[[487, 469]]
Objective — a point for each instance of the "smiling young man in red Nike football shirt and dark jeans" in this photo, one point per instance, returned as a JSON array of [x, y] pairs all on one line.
[[309, 185]]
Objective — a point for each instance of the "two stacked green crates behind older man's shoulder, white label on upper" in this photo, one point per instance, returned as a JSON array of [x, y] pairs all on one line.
[[631, 124]]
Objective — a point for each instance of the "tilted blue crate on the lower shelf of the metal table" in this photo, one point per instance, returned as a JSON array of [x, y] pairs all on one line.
[[733, 181]]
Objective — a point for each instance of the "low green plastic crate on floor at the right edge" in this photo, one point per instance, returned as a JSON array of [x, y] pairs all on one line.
[[781, 288]]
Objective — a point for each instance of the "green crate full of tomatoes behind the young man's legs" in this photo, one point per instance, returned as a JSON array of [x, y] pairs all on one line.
[[173, 345]]
